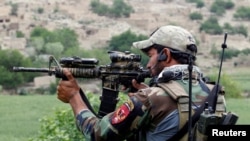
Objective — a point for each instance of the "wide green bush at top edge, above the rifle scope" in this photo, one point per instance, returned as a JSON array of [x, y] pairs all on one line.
[[117, 10]]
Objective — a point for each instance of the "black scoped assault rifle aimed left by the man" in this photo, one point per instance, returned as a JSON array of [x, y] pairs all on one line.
[[124, 67]]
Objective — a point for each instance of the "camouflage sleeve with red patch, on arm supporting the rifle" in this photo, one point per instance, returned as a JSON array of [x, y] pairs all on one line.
[[115, 126]]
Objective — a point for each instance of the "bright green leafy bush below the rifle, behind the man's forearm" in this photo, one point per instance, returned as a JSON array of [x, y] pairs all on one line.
[[61, 126]]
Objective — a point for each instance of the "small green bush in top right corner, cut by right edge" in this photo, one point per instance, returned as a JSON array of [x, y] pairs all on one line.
[[242, 12]]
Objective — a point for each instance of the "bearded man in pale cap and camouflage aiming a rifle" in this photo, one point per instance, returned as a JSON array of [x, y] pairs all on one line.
[[153, 111]]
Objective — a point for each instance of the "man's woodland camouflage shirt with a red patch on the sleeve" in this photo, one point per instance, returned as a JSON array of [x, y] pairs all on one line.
[[150, 110]]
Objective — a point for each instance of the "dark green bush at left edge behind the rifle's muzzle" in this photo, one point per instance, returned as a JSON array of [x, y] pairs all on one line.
[[10, 58]]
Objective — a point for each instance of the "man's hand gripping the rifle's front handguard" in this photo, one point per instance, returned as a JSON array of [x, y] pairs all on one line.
[[67, 89]]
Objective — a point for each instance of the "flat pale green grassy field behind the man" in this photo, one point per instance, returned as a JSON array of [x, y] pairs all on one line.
[[19, 115]]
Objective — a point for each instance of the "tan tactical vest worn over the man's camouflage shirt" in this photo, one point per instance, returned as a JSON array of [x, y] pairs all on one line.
[[178, 93]]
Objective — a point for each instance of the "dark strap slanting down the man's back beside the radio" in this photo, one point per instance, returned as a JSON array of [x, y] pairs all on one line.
[[198, 111]]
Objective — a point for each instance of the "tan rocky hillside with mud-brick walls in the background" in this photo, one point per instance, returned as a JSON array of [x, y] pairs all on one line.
[[95, 31]]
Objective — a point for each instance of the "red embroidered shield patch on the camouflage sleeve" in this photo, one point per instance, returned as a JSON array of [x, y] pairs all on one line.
[[122, 112]]
